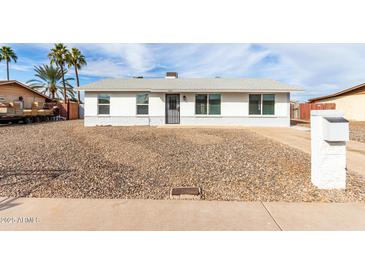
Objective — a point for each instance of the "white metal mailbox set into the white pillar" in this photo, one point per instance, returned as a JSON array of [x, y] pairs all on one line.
[[335, 129]]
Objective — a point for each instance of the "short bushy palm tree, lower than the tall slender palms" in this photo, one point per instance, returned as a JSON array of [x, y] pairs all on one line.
[[48, 81]]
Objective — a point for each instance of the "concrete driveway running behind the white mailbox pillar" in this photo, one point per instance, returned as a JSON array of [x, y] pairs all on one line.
[[299, 137]]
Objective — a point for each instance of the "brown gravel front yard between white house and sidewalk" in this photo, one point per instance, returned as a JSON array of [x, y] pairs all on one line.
[[65, 159]]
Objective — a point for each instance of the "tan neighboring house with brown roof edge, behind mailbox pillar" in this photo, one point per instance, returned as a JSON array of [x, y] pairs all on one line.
[[351, 101]]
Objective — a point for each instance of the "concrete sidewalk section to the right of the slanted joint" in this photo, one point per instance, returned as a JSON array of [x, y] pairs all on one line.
[[318, 216]]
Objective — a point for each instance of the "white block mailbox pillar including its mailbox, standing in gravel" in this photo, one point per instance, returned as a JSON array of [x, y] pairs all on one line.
[[329, 134]]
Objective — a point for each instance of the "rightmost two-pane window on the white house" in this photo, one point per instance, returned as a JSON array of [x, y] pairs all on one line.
[[262, 104]]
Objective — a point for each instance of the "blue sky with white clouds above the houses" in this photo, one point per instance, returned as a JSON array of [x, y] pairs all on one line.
[[318, 68]]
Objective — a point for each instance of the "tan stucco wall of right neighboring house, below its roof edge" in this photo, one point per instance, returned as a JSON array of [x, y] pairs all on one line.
[[353, 106]]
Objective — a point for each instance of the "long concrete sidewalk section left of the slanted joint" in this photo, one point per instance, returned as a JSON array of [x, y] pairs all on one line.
[[116, 214]]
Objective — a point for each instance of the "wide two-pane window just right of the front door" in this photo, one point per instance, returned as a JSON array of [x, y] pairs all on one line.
[[208, 104]]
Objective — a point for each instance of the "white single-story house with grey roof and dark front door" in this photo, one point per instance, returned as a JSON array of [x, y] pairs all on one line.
[[195, 101]]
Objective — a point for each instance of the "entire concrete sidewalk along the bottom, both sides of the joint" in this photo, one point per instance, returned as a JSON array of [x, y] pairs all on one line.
[[104, 214]]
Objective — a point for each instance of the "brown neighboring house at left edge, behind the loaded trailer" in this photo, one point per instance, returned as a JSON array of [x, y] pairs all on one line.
[[11, 91]]
